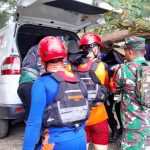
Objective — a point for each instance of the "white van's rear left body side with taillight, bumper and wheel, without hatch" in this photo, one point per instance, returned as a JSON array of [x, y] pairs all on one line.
[[10, 105]]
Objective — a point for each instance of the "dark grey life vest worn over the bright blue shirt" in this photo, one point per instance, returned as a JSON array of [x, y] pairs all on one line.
[[70, 106]]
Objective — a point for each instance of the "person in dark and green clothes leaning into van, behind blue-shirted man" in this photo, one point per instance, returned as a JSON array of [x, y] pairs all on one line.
[[31, 70]]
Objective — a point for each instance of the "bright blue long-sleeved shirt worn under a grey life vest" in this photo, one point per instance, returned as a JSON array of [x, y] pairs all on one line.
[[44, 91]]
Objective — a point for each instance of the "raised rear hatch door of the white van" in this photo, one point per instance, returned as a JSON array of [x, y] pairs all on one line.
[[68, 15]]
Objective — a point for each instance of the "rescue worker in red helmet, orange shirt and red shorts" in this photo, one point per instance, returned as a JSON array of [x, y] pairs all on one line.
[[93, 73]]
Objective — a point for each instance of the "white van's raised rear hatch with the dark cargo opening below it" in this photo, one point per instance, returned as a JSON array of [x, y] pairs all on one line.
[[52, 17]]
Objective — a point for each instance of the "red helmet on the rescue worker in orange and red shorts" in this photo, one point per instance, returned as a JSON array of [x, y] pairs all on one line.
[[90, 38]]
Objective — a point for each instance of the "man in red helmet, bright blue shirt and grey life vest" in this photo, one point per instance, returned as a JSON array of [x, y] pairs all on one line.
[[59, 106]]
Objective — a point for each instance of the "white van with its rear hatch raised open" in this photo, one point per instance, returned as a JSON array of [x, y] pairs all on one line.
[[35, 18]]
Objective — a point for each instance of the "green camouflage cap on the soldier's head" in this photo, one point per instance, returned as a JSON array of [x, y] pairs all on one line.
[[134, 43]]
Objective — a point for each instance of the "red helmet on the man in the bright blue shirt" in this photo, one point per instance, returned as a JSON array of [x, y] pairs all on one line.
[[50, 48]]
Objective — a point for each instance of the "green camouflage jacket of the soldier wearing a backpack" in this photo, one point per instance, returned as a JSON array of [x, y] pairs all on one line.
[[133, 115]]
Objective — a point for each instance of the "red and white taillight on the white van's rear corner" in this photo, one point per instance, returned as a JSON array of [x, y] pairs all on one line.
[[11, 66]]
